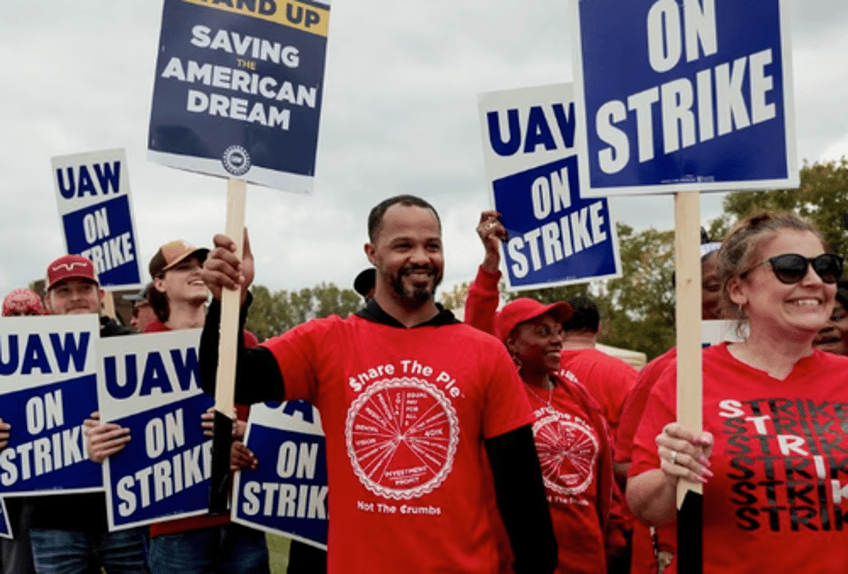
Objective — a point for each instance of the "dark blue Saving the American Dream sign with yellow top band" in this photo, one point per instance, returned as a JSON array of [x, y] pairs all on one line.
[[238, 89]]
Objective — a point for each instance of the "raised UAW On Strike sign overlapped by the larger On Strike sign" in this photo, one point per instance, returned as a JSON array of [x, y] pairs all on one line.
[[555, 237]]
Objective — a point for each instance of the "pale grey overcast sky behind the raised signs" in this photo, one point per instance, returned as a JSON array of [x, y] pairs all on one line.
[[399, 115]]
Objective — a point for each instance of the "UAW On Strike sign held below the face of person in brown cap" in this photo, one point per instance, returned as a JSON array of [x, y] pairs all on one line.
[[150, 384]]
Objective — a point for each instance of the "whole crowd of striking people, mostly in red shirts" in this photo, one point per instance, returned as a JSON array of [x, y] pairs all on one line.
[[504, 443]]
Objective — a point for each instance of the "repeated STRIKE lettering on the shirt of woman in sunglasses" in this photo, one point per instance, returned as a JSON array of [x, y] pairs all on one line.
[[789, 463]]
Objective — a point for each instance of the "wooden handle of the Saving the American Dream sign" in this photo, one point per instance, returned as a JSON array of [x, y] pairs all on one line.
[[219, 494]]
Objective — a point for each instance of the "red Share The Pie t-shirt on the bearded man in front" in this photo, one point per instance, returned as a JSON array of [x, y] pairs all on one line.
[[405, 412]]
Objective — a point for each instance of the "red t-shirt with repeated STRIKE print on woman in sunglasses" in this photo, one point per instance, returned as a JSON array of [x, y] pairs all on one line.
[[779, 499]]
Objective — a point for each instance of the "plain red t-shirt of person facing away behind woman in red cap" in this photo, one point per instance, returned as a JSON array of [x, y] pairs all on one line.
[[607, 378]]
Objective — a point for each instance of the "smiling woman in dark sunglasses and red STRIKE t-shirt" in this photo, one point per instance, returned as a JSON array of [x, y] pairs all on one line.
[[773, 453]]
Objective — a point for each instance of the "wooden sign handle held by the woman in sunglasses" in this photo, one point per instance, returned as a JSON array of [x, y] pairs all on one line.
[[689, 384]]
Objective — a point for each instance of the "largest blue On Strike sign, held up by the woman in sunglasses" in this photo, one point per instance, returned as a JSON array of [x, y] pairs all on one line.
[[683, 95]]
